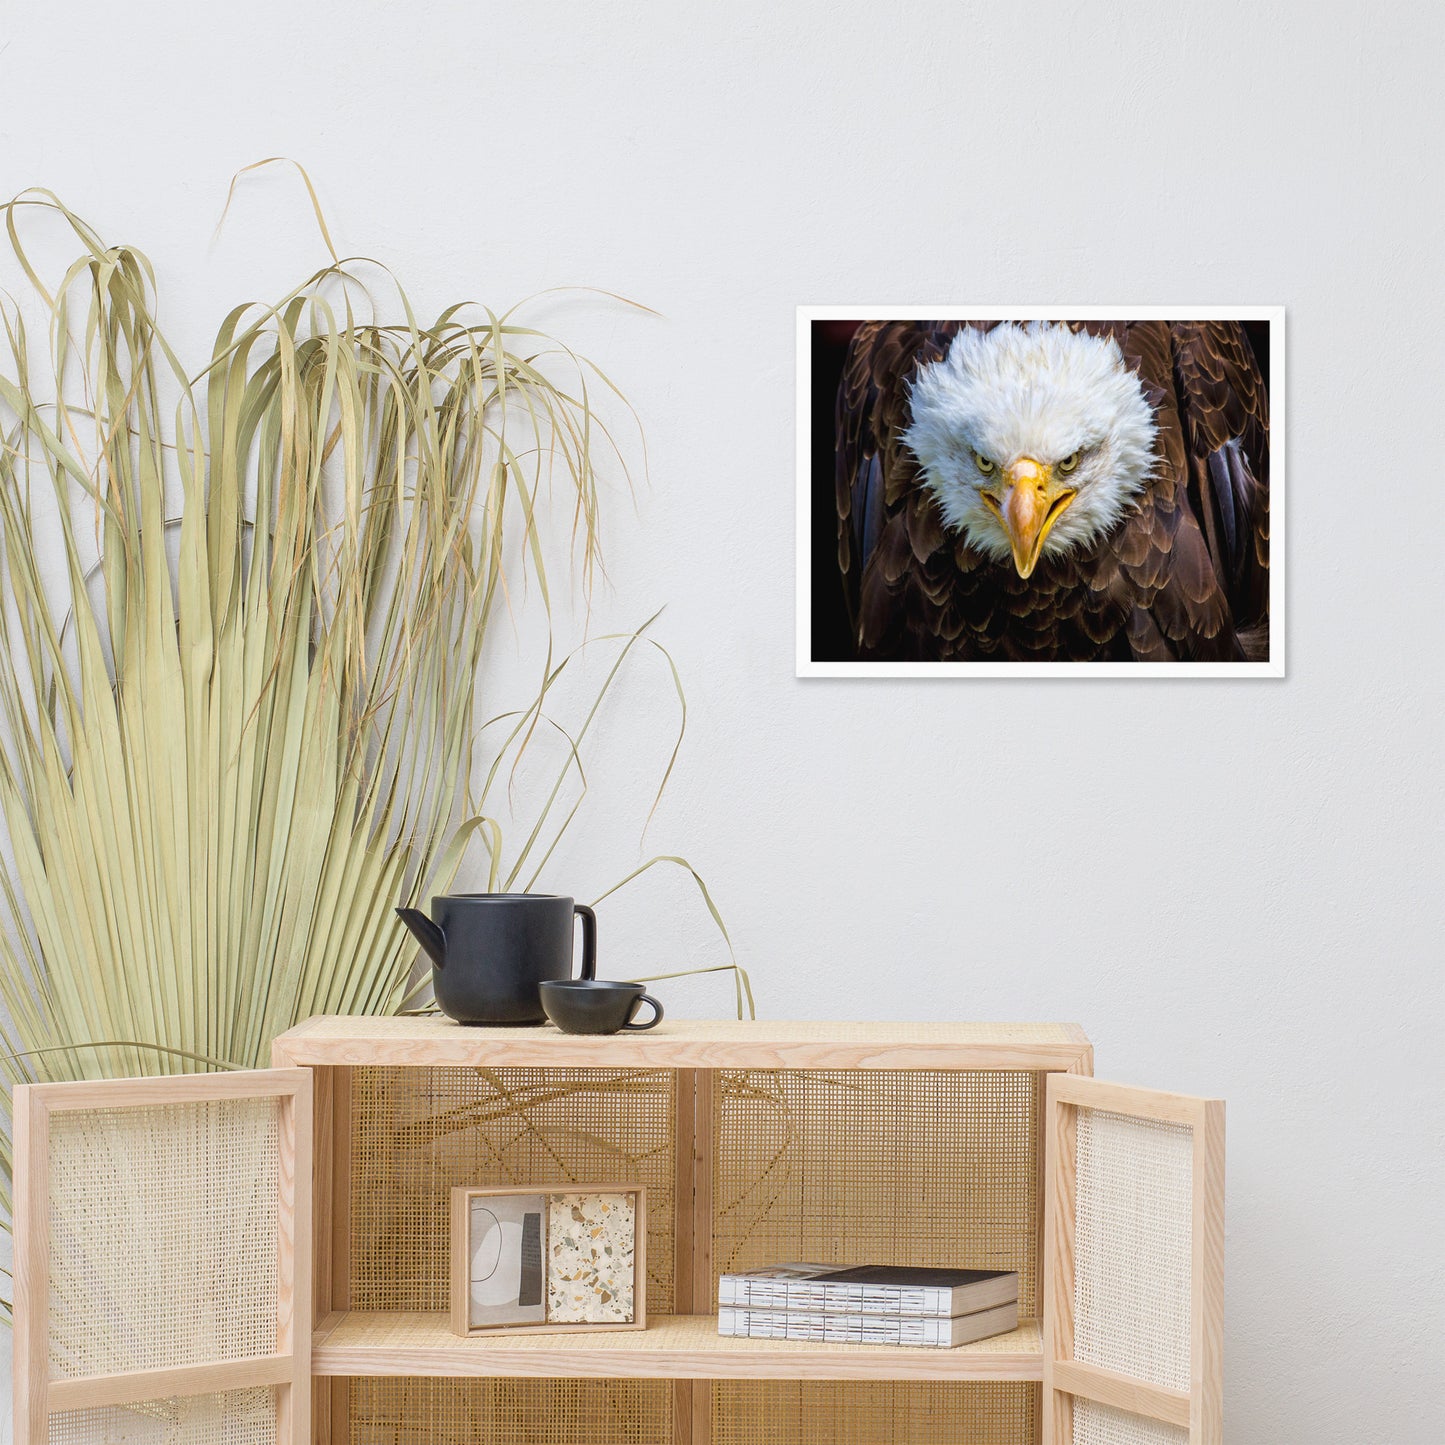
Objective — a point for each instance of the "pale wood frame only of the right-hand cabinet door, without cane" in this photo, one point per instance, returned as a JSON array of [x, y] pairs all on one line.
[[1199, 1411]]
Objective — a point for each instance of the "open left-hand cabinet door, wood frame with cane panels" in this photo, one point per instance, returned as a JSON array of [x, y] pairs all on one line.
[[163, 1261]]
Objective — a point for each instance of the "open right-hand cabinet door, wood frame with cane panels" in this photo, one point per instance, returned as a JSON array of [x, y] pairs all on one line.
[[1134, 1267]]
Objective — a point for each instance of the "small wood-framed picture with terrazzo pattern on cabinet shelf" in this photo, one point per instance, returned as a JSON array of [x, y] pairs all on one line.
[[548, 1258]]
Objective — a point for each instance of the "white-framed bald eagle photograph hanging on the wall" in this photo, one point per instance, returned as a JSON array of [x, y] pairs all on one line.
[[1066, 493]]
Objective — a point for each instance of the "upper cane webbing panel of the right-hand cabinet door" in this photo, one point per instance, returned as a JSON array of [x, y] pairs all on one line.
[[1132, 1251]]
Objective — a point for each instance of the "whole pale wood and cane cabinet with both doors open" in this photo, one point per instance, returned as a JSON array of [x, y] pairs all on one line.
[[943, 1144]]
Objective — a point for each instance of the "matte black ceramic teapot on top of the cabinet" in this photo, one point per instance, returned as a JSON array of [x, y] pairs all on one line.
[[491, 952]]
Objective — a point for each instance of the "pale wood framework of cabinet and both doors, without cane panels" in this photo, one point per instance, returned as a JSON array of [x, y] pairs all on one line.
[[311, 1371]]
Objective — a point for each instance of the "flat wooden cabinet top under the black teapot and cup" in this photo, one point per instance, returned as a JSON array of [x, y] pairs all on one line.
[[686, 1044]]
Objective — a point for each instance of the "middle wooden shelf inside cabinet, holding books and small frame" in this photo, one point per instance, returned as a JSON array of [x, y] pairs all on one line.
[[673, 1347]]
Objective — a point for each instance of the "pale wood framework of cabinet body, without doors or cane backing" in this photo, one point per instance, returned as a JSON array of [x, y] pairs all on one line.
[[683, 1347]]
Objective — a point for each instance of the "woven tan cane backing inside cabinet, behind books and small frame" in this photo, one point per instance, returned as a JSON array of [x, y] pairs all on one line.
[[843, 1165]]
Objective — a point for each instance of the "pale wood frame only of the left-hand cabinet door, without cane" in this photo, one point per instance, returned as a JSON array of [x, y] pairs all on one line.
[[288, 1369]]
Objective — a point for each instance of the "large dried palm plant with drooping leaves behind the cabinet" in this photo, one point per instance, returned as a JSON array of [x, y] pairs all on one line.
[[242, 618]]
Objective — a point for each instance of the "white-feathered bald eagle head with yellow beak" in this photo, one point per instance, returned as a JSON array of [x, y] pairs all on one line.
[[1035, 440]]
